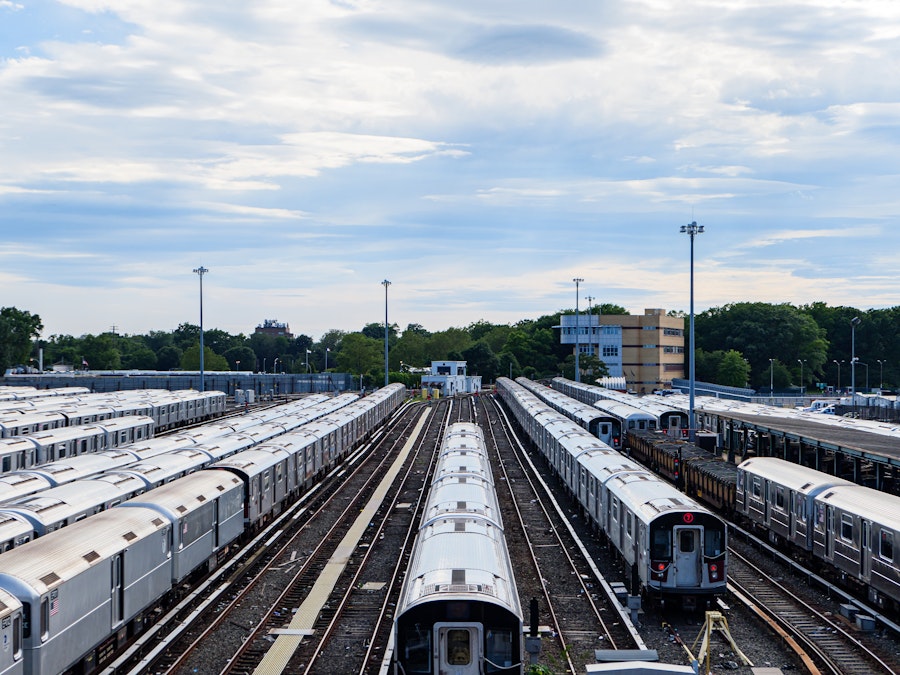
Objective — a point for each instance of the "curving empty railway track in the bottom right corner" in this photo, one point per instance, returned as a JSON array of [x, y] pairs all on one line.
[[822, 642]]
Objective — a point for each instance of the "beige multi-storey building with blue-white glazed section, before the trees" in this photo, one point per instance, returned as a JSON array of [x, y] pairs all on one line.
[[646, 349]]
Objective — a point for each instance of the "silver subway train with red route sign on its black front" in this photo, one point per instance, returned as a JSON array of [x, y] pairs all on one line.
[[675, 547]]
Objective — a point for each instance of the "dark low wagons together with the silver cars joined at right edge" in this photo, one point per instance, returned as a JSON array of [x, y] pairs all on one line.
[[844, 531]]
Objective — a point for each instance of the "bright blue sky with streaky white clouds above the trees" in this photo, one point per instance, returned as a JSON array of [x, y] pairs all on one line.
[[478, 155]]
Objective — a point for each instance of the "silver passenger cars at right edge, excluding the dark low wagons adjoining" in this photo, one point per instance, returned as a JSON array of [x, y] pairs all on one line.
[[846, 531]]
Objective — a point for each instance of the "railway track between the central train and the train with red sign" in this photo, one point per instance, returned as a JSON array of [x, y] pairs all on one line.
[[554, 566]]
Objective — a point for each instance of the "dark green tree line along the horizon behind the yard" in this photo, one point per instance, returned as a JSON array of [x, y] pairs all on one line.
[[741, 344]]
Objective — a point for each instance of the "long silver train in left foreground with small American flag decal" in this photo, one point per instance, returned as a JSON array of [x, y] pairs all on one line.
[[71, 598]]
